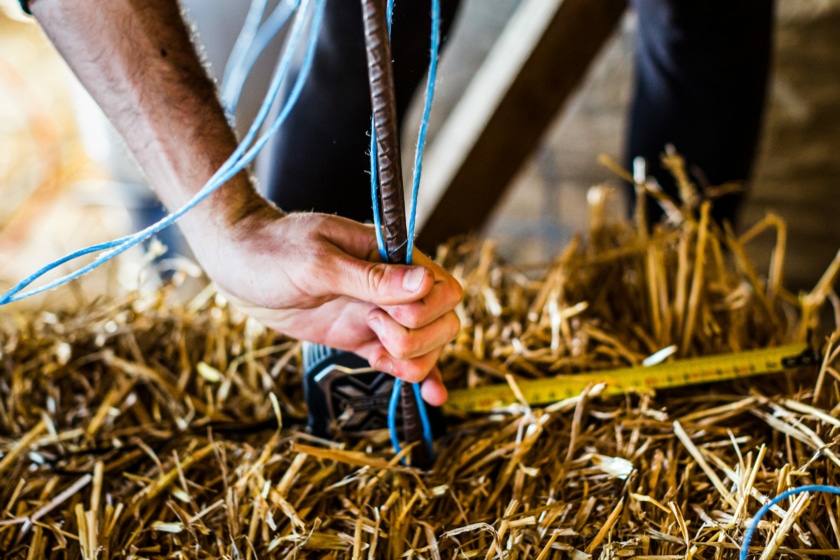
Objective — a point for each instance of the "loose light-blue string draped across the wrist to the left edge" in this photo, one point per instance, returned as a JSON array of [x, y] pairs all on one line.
[[240, 158]]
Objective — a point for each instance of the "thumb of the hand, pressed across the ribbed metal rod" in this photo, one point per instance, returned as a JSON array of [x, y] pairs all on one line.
[[385, 284]]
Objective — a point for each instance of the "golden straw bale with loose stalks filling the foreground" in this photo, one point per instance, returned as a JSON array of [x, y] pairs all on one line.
[[142, 429]]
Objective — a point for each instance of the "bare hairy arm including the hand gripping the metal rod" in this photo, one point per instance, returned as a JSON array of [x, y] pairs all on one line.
[[307, 275]]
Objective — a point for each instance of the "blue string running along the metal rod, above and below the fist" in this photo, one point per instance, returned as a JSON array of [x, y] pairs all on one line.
[[418, 167]]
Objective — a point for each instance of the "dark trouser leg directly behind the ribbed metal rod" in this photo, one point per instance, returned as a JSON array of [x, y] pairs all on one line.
[[320, 158]]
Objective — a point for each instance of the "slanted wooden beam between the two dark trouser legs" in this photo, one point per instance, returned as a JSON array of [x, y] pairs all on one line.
[[535, 65]]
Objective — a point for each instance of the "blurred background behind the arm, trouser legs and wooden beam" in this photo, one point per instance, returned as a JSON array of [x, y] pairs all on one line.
[[65, 181]]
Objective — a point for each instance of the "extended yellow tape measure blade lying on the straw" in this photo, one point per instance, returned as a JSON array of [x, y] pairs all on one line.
[[642, 378]]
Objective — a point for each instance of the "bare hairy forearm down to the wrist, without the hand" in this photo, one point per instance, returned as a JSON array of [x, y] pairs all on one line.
[[137, 60]]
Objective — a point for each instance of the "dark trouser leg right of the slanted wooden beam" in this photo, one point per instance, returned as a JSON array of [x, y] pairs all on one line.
[[701, 76]]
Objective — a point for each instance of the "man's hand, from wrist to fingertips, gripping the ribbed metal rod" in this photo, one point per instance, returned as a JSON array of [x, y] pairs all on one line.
[[317, 278]]
